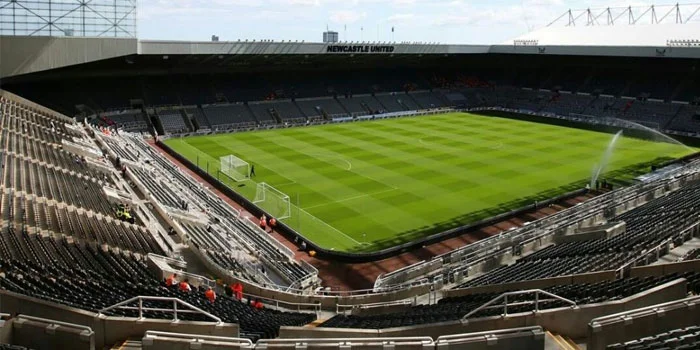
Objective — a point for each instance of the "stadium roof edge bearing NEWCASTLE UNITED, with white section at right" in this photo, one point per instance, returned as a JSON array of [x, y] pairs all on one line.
[[35, 54]]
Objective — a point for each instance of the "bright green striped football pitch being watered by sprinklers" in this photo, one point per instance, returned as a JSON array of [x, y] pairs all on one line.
[[366, 186]]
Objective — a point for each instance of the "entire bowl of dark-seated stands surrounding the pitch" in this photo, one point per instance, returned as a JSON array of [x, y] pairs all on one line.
[[65, 184]]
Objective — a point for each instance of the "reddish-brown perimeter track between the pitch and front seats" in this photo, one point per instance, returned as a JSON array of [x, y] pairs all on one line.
[[345, 276]]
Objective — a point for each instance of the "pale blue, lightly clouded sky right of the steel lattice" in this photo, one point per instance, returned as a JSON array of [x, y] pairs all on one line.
[[443, 21]]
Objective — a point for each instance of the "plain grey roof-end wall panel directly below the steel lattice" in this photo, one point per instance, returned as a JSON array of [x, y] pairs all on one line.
[[28, 54]]
